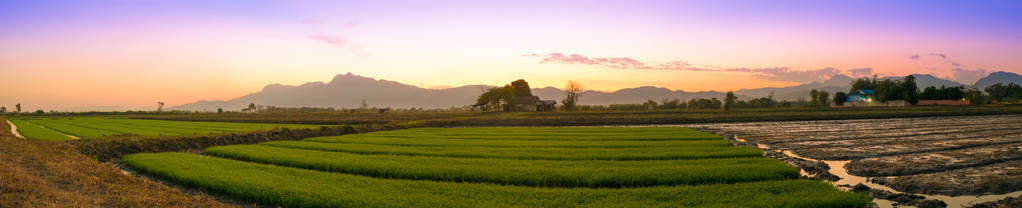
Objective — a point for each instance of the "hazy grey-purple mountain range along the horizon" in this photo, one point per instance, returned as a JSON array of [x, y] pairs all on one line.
[[349, 91]]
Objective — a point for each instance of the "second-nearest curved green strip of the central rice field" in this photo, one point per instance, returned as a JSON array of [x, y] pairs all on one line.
[[523, 173]]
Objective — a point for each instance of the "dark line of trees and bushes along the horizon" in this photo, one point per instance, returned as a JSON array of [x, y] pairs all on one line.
[[502, 98]]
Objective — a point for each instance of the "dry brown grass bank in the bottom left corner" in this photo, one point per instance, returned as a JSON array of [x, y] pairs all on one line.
[[41, 174]]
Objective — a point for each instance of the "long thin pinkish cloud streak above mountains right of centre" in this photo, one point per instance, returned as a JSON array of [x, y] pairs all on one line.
[[771, 74]]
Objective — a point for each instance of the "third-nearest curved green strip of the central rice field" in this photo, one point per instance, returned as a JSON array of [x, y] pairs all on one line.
[[659, 153]]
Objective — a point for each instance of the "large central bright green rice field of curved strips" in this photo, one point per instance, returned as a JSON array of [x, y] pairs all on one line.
[[500, 168]]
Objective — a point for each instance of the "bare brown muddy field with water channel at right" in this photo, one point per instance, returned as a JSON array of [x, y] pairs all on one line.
[[962, 161]]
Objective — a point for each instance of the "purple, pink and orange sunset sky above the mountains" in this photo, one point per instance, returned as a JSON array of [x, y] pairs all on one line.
[[133, 54]]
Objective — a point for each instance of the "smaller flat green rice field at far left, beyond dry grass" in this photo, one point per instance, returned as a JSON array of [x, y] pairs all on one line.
[[58, 129]]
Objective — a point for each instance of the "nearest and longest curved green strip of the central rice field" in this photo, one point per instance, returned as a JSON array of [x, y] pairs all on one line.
[[301, 188]]
